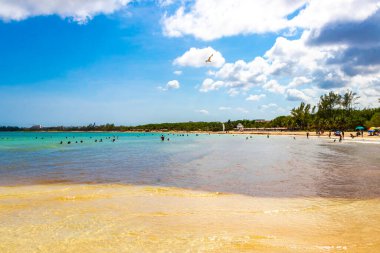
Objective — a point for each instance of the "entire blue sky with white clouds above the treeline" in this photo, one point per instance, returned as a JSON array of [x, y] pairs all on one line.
[[76, 62]]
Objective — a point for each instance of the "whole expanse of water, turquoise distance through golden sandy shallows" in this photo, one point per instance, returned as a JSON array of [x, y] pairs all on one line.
[[255, 195]]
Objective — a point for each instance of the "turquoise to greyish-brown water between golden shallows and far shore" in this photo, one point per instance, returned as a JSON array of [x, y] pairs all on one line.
[[278, 166]]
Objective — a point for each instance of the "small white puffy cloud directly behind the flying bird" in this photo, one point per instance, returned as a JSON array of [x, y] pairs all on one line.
[[196, 57]]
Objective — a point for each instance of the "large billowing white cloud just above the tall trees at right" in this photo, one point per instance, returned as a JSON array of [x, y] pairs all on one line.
[[307, 67]]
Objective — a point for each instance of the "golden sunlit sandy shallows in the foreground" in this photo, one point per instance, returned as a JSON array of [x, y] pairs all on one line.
[[119, 218]]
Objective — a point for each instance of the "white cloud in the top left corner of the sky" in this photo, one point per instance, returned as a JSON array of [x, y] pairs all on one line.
[[78, 10]]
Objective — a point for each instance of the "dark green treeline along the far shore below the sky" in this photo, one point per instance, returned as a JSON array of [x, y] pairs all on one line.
[[333, 112]]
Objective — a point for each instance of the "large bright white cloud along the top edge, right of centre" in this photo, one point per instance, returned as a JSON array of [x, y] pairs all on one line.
[[213, 19]]
